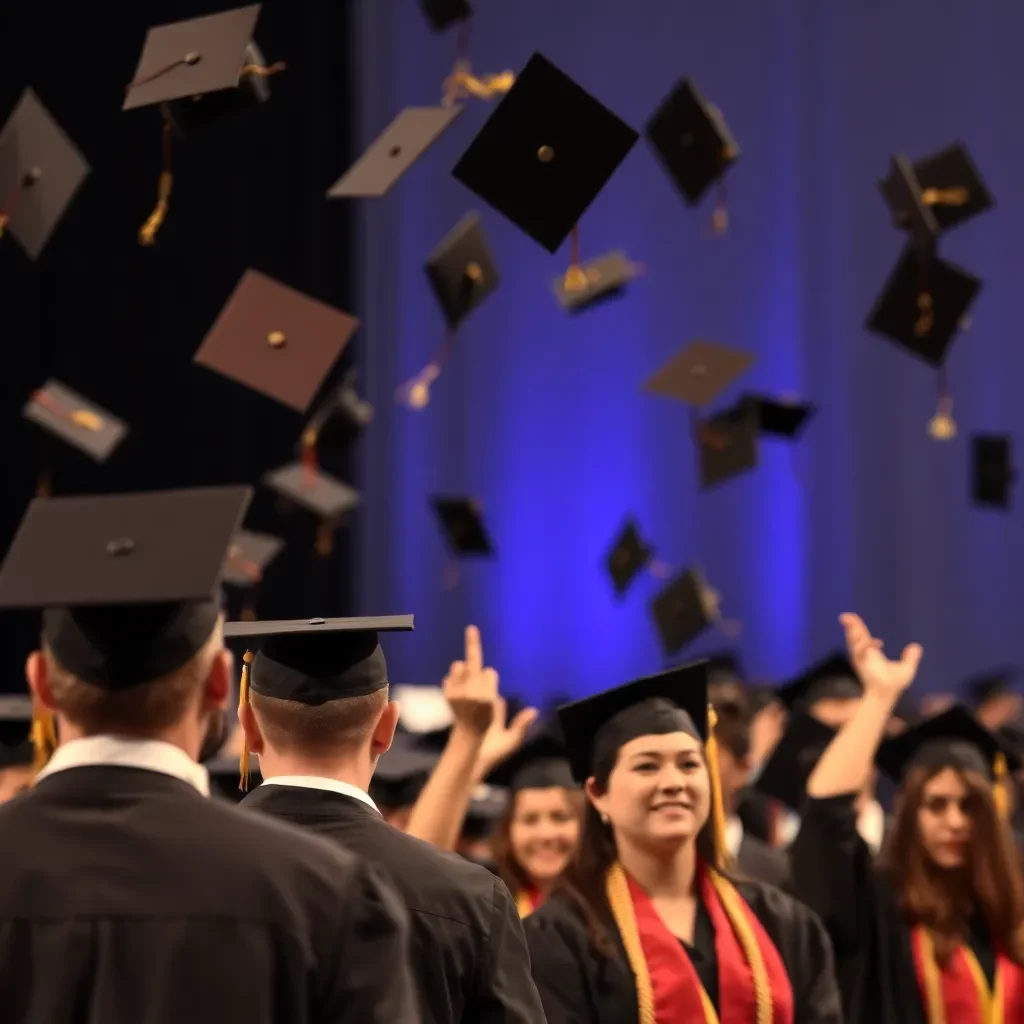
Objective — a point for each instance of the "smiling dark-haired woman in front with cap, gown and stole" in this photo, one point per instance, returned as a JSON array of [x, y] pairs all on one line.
[[647, 926]]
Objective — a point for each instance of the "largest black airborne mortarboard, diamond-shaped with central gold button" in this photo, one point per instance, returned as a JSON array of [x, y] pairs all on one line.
[[545, 153]]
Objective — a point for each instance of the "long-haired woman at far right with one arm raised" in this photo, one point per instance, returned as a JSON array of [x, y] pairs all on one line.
[[933, 933]]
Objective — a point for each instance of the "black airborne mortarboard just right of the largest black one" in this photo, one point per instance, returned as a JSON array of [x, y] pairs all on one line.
[[692, 140]]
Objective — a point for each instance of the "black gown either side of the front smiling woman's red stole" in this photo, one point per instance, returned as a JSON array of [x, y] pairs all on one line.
[[580, 988]]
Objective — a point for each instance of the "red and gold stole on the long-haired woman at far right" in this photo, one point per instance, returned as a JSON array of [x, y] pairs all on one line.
[[959, 994]]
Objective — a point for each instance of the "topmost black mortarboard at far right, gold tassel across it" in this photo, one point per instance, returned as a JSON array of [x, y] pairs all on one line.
[[951, 187]]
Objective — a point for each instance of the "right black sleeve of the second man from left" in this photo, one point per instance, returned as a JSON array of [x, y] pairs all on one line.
[[505, 994]]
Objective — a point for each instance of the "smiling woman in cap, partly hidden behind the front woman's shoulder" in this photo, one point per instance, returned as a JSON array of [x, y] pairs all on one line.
[[538, 835]]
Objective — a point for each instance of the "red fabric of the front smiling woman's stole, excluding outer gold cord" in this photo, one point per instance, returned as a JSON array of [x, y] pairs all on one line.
[[677, 990]]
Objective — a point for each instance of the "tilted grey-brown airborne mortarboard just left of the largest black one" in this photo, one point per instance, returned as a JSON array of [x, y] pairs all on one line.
[[395, 152]]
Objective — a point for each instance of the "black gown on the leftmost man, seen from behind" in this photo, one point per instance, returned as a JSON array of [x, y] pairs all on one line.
[[127, 898]]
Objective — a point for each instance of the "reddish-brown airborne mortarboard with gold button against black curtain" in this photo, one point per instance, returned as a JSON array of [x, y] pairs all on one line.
[[276, 340]]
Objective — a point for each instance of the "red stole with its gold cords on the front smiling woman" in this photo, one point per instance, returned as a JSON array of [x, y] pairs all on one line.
[[754, 988]]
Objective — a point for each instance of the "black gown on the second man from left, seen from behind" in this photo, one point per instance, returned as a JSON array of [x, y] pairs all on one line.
[[470, 955]]
